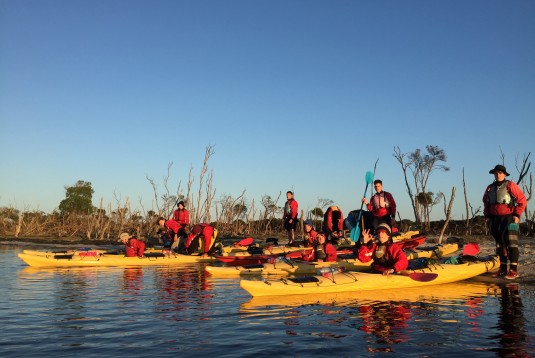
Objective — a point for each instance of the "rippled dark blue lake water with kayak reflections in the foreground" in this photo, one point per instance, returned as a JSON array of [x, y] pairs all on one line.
[[183, 311]]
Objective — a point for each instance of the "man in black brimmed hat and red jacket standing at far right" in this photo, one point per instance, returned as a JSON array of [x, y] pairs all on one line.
[[504, 202]]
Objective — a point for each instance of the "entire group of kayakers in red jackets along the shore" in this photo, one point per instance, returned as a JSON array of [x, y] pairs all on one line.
[[504, 203]]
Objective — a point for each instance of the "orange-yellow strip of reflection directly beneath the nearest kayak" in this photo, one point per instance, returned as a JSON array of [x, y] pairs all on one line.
[[438, 294]]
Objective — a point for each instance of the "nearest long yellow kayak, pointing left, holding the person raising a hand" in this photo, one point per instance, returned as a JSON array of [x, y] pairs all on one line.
[[434, 274]]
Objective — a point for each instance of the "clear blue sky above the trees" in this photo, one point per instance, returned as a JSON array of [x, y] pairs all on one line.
[[300, 94]]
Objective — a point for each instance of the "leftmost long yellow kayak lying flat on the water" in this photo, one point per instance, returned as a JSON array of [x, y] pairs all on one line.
[[103, 259]]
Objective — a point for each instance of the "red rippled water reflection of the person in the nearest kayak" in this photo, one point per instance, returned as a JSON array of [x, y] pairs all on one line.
[[387, 321]]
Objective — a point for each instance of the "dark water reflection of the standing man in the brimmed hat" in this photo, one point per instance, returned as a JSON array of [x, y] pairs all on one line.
[[511, 322]]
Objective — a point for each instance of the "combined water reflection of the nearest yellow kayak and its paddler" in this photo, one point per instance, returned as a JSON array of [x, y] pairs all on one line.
[[383, 318]]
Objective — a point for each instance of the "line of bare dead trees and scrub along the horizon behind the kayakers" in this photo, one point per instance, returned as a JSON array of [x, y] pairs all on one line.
[[234, 217]]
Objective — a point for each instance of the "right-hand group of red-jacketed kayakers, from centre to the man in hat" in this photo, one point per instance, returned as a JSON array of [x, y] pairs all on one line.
[[504, 203]]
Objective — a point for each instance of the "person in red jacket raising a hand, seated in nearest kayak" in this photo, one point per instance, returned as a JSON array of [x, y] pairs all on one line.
[[387, 257]]
